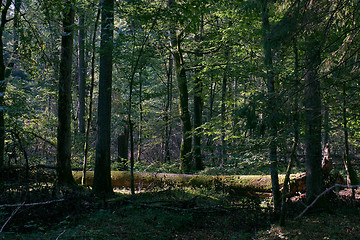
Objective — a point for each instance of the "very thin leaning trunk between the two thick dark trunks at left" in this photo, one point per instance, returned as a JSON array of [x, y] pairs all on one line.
[[92, 83]]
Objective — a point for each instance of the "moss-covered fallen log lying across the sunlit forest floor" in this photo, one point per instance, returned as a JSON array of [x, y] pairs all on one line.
[[229, 183]]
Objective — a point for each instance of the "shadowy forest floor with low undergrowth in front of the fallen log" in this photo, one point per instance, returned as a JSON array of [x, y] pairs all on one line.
[[177, 214]]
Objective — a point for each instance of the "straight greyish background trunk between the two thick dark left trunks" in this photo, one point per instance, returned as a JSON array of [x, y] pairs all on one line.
[[82, 72]]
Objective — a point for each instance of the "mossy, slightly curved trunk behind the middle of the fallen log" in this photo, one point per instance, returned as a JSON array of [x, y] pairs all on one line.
[[186, 144]]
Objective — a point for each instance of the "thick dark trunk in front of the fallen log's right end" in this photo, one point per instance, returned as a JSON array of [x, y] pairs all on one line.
[[312, 99]]
